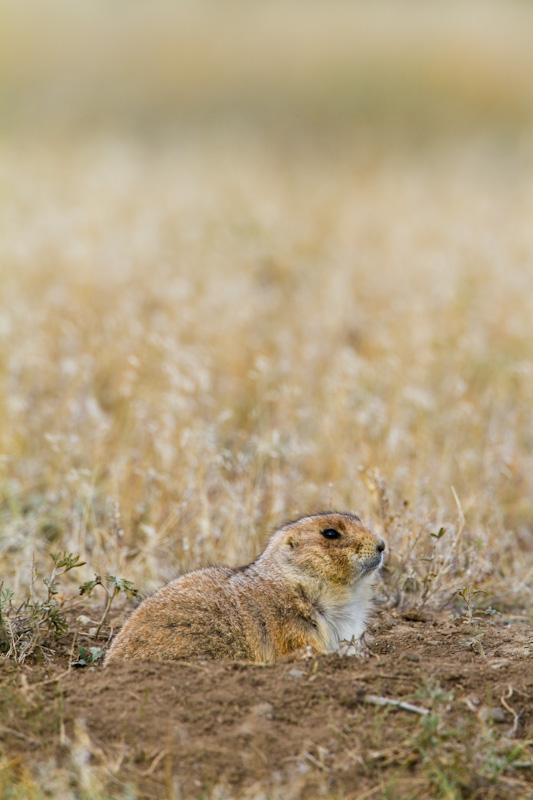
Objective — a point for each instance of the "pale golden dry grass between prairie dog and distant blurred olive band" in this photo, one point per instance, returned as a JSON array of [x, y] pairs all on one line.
[[200, 340]]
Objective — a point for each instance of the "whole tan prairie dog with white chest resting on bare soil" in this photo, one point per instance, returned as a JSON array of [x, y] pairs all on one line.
[[311, 587]]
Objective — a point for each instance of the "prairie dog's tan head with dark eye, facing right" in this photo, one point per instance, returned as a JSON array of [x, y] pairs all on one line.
[[331, 547]]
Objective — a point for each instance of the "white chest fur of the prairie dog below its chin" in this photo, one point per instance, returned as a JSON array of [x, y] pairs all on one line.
[[343, 616]]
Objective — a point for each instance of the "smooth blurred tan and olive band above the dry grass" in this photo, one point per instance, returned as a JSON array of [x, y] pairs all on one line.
[[397, 68]]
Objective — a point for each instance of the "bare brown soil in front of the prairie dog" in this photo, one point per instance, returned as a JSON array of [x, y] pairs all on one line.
[[302, 728]]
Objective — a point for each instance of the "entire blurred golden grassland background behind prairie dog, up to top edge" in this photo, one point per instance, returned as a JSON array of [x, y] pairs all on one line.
[[259, 259]]
